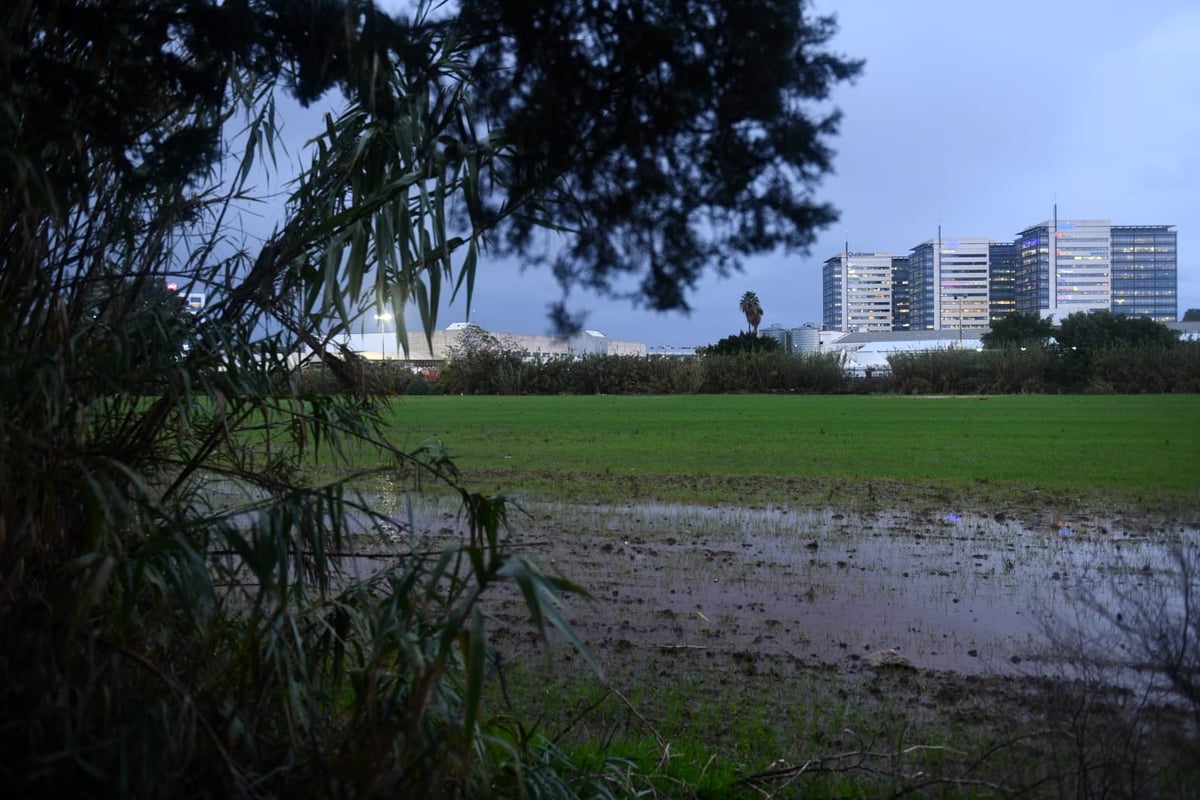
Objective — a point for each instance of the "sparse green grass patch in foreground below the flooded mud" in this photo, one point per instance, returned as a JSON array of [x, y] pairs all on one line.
[[698, 731]]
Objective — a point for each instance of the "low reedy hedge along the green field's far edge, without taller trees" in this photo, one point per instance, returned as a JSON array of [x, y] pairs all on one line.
[[1118, 370]]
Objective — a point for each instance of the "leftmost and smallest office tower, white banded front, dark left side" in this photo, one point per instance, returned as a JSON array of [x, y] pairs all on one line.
[[857, 292]]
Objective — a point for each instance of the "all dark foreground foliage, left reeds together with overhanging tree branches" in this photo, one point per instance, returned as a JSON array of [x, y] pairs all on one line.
[[179, 588]]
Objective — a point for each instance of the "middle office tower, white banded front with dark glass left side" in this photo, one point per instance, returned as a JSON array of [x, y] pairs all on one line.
[[949, 279]]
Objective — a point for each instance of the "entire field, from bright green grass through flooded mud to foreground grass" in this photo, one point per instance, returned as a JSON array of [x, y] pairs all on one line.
[[717, 673]]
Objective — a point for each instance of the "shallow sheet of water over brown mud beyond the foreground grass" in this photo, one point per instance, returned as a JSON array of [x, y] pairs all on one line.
[[950, 591]]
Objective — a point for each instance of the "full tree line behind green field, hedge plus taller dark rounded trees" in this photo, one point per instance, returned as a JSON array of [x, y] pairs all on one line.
[[1089, 353]]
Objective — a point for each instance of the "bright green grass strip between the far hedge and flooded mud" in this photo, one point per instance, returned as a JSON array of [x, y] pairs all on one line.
[[1139, 450]]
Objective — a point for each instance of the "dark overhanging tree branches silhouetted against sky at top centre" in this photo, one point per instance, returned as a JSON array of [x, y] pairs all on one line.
[[663, 141]]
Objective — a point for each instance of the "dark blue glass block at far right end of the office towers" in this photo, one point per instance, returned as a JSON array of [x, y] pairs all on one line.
[[1145, 272]]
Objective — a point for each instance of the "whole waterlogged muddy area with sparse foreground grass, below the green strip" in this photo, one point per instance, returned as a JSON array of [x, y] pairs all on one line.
[[771, 637]]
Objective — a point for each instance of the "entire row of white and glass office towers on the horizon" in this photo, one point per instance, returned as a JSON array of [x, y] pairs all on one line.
[[1055, 269]]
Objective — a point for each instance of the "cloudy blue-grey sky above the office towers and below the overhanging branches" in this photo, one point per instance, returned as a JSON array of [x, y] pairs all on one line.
[[975, 117]]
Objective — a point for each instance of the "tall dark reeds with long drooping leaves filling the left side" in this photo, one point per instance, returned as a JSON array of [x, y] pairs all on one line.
[[187, 613]]
